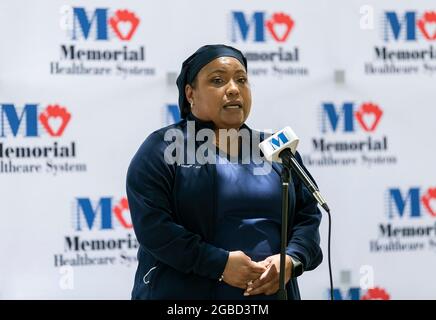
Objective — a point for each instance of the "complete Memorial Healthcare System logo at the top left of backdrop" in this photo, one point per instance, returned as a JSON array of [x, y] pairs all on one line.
[[100, 42]]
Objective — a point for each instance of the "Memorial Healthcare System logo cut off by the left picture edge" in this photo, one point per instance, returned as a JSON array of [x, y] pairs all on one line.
[[32, 140]]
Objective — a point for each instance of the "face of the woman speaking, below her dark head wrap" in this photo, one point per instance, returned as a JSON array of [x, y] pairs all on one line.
[[221, 93]]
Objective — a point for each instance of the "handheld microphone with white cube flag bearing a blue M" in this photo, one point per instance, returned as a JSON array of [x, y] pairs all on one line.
[[281, 147]]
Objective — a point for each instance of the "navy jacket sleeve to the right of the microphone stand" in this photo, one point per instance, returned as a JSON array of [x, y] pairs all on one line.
[[305, 239]]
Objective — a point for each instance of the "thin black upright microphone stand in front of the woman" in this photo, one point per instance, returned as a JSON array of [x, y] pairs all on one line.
[[282, 294]]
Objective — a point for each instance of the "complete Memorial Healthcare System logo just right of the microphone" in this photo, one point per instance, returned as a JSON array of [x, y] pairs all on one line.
[[351, 133]]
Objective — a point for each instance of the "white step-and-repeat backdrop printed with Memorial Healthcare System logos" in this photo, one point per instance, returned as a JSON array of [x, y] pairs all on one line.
[[82, 84]]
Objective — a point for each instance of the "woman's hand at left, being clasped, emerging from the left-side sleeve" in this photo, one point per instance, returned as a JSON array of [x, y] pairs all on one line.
[[241, 270]]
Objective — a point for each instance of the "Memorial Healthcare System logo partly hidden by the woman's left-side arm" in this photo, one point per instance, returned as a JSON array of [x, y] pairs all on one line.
[[101, 234]]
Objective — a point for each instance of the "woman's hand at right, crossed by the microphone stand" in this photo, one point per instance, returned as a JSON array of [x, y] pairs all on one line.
[[268, 282]]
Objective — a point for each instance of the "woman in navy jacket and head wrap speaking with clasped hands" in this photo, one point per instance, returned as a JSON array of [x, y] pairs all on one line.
[[212, 230]]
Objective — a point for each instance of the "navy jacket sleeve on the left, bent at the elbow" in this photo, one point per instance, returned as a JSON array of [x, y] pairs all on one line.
[[149, 192]]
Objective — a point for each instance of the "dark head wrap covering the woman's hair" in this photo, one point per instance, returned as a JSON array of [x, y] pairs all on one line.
[[198, 60]]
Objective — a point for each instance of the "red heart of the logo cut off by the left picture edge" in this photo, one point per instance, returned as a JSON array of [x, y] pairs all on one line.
[[55, 119]]
